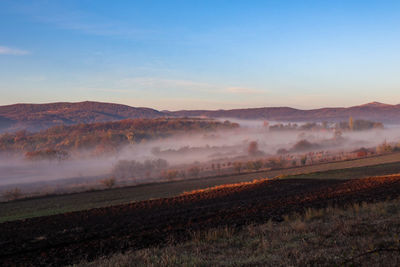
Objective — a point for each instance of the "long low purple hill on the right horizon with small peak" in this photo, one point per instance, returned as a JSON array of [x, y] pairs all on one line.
[[372, 111]]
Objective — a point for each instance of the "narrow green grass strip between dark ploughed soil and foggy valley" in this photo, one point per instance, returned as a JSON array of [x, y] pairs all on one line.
[[50, 205]]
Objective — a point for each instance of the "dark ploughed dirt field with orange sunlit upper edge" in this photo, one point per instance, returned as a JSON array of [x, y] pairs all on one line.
[[70, 237]]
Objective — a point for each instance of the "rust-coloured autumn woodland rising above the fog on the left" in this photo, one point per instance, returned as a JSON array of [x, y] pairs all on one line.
[[108, 135]]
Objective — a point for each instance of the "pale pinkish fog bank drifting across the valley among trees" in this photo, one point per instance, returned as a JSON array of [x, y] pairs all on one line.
[[185, 150]]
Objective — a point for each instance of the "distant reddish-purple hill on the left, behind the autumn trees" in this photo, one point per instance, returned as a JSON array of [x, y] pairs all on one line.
[[35, 117]]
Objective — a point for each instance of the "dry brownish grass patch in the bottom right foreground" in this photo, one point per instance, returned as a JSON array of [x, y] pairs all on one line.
[[362, 234]]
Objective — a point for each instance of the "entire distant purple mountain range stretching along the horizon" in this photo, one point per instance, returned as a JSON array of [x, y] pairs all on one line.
[[34, 117]]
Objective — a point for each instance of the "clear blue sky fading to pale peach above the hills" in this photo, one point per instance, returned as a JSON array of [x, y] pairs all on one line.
[[216, 54]]
